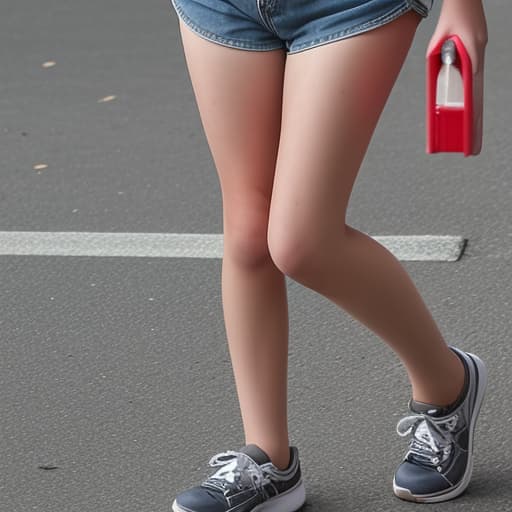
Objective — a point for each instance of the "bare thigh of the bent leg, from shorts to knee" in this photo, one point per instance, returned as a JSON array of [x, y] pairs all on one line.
[[333, 95]]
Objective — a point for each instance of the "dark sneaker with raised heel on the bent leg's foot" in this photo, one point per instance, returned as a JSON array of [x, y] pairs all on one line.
[[439, 462]]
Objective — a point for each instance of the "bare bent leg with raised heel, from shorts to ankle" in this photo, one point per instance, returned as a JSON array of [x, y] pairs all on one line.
[[332, 99]]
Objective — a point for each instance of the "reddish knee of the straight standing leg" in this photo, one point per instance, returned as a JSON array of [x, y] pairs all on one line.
[[245, 241]]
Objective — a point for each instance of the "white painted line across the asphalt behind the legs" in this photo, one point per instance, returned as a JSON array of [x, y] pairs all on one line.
[[192, 245]]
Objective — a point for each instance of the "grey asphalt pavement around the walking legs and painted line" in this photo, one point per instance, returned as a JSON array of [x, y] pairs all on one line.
[[116, 386]]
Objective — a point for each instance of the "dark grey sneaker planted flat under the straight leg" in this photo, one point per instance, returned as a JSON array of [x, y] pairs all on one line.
[[247, 481]]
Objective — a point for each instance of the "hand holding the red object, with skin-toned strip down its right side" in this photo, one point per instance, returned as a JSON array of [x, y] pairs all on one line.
[[466, 19]]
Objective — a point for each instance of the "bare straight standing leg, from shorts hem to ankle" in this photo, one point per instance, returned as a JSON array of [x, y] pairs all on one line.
[[239, 97]]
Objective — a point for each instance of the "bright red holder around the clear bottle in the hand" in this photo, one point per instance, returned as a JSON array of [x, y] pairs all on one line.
[[450, 129]]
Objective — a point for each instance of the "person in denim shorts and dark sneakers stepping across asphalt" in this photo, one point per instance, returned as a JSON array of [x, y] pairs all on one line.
[[289, 94]]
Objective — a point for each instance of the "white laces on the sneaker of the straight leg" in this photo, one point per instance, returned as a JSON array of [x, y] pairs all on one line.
[[238, 472]]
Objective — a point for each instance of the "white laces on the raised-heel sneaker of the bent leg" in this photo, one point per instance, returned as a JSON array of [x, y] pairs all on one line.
[[432, 439]]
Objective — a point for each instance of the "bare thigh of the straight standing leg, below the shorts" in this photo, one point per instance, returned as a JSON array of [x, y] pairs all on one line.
[[238, 94]]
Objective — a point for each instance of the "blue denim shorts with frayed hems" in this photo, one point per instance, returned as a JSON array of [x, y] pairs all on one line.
[[294, 25]]
